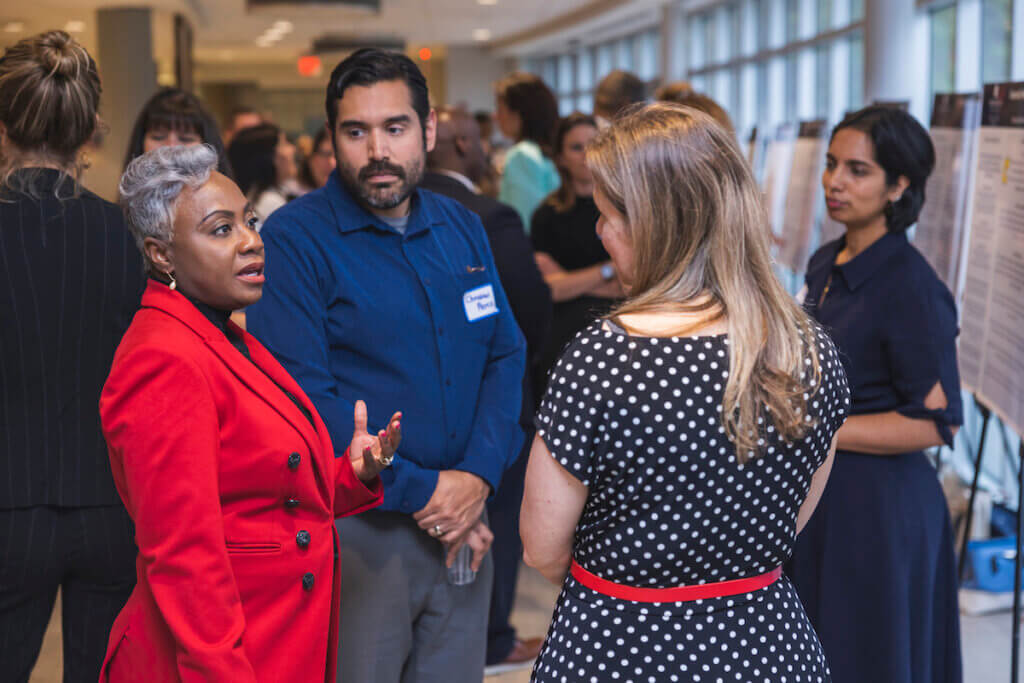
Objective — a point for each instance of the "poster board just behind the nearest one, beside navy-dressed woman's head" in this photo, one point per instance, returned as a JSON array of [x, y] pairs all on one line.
[[942, 226]]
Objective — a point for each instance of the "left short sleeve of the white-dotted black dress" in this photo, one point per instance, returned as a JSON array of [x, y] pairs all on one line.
[[572, 415]]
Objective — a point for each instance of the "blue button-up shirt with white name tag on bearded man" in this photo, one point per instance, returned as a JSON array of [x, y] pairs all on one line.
[[416, 323]]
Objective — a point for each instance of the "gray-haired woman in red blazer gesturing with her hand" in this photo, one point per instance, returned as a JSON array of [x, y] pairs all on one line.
[[222, 460]]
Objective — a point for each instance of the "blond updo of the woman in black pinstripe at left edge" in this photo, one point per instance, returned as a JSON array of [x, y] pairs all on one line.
[[50, 98]]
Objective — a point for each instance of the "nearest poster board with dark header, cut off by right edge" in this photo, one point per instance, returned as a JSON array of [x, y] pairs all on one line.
[[992, 351]]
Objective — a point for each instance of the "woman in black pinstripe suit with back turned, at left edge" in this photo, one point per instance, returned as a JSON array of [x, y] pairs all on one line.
[[72, 282]]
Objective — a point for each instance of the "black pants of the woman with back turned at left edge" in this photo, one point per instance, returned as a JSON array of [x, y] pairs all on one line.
[[90, 553]]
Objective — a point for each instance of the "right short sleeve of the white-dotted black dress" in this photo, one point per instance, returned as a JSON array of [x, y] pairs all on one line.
[[829, 403]]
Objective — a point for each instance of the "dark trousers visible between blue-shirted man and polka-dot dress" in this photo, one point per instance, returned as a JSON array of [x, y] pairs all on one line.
[[503, 513]]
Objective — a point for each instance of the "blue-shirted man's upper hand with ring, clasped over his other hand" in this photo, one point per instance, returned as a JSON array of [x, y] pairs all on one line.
[[454, 508]]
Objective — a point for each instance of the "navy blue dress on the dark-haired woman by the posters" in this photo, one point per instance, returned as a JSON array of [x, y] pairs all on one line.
[[875, 567]]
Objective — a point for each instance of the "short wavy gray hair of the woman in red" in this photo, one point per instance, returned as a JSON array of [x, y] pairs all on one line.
[[152, 185]]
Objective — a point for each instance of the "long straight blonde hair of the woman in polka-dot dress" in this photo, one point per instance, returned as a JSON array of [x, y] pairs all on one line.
[[698, 229]]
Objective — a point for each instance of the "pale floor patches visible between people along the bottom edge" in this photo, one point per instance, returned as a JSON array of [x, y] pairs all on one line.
[[987, 639]]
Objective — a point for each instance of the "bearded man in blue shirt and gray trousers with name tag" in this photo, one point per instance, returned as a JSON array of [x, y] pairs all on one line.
[[379, 291]]
